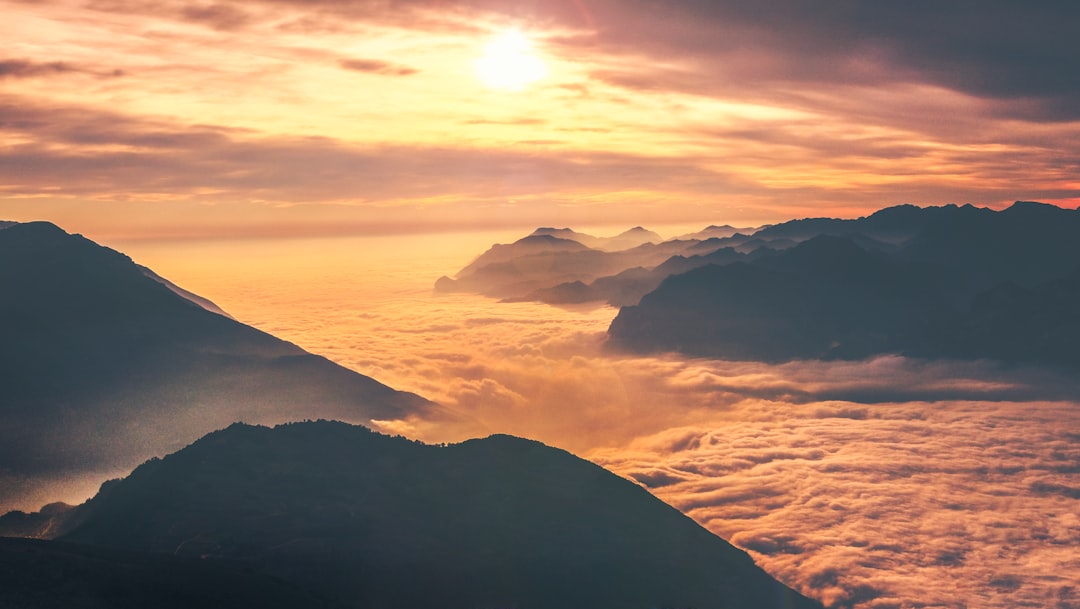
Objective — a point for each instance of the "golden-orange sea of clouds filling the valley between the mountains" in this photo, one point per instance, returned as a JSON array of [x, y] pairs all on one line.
[[880, 484]]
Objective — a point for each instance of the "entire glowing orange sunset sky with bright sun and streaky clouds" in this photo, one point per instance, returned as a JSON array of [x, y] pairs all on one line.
[[280, 118]]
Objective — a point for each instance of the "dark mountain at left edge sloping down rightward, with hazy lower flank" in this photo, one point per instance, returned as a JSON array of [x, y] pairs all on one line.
[[105, 367]]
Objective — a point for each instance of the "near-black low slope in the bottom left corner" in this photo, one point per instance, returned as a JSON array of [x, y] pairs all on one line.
[[47, 575]]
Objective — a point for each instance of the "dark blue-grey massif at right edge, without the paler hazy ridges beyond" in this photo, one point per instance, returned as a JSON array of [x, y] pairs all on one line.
[[967, 283]]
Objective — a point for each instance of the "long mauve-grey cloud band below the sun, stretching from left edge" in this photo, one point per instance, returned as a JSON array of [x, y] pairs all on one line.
[[99, 152]]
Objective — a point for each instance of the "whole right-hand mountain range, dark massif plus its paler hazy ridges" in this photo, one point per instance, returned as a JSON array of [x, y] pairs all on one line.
[[946, 282]]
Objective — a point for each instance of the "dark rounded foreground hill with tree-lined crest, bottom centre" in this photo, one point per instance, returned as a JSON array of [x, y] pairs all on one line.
[[380, 522]]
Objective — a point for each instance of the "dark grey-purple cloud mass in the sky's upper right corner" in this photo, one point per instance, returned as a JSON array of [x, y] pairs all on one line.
[[1003, 52]]
